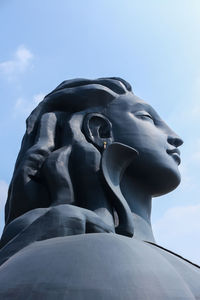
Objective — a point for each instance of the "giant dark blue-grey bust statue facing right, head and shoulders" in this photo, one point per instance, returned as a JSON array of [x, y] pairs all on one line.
[[78, 213]]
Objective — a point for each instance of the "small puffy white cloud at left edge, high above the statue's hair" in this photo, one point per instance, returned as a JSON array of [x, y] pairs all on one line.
[[21, 61]]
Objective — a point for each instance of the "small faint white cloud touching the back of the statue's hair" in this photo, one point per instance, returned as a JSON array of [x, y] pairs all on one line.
[[23, 107]]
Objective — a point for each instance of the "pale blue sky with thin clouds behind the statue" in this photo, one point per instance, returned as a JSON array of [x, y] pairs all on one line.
[[154, 45]]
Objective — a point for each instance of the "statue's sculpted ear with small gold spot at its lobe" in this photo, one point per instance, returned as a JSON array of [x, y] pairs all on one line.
[[98, 130]]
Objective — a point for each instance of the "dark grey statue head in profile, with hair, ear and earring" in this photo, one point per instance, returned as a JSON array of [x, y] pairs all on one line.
[[77, 136]]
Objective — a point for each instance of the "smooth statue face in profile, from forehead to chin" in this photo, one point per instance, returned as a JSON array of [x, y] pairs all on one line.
[[136, 124]]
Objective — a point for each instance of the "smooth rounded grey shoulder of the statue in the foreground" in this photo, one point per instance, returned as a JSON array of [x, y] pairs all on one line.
[[101, 266]]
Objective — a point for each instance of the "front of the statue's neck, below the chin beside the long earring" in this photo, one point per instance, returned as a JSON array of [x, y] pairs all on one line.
[[140, 203]]
